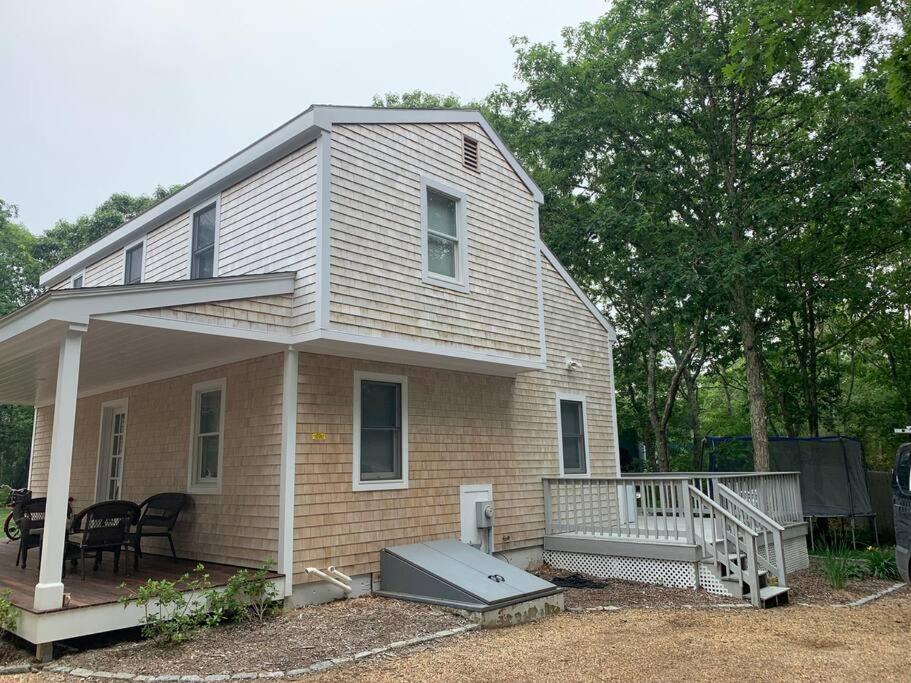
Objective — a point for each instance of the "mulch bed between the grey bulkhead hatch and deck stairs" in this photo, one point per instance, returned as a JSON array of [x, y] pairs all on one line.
[[619, 593]]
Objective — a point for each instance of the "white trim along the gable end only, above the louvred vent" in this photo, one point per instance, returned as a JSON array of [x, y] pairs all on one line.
[[325, 116]]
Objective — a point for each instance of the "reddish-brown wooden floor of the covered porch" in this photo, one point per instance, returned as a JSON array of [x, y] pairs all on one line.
[[101, 587]]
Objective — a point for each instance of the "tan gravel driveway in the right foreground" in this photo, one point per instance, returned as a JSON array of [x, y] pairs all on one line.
[[869, 643]]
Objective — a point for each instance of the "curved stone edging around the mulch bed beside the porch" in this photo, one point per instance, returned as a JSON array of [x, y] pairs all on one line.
[[79, 672]]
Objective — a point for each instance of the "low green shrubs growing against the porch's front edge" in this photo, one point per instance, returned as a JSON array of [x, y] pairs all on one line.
[[175, 611]]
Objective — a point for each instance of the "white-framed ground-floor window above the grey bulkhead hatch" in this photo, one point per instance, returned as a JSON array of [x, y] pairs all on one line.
[[380, 436]]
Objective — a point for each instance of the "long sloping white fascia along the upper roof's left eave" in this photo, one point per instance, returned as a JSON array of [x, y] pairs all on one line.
[[271, 147]]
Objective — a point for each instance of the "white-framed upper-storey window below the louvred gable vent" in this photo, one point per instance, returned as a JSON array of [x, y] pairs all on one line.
[[444, 235]]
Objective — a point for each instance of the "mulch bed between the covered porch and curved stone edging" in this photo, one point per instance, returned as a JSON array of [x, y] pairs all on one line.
[[295, 639]]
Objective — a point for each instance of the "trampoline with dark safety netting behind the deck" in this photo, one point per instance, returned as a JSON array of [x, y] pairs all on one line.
[[833, 479]]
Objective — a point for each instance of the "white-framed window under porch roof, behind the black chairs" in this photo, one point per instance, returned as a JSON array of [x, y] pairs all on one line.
[[207, 437]]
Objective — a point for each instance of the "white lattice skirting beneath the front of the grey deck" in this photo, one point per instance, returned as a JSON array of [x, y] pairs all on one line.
[[674, 573]]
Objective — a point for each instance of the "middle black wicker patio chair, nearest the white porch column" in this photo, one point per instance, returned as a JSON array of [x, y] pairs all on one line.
[[102, 527]]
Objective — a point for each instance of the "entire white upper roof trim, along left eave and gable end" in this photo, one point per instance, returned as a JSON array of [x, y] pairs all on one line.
[[286, 138]]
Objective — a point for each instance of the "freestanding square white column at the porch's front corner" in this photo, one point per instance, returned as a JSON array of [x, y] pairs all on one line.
[[49, 591]]
